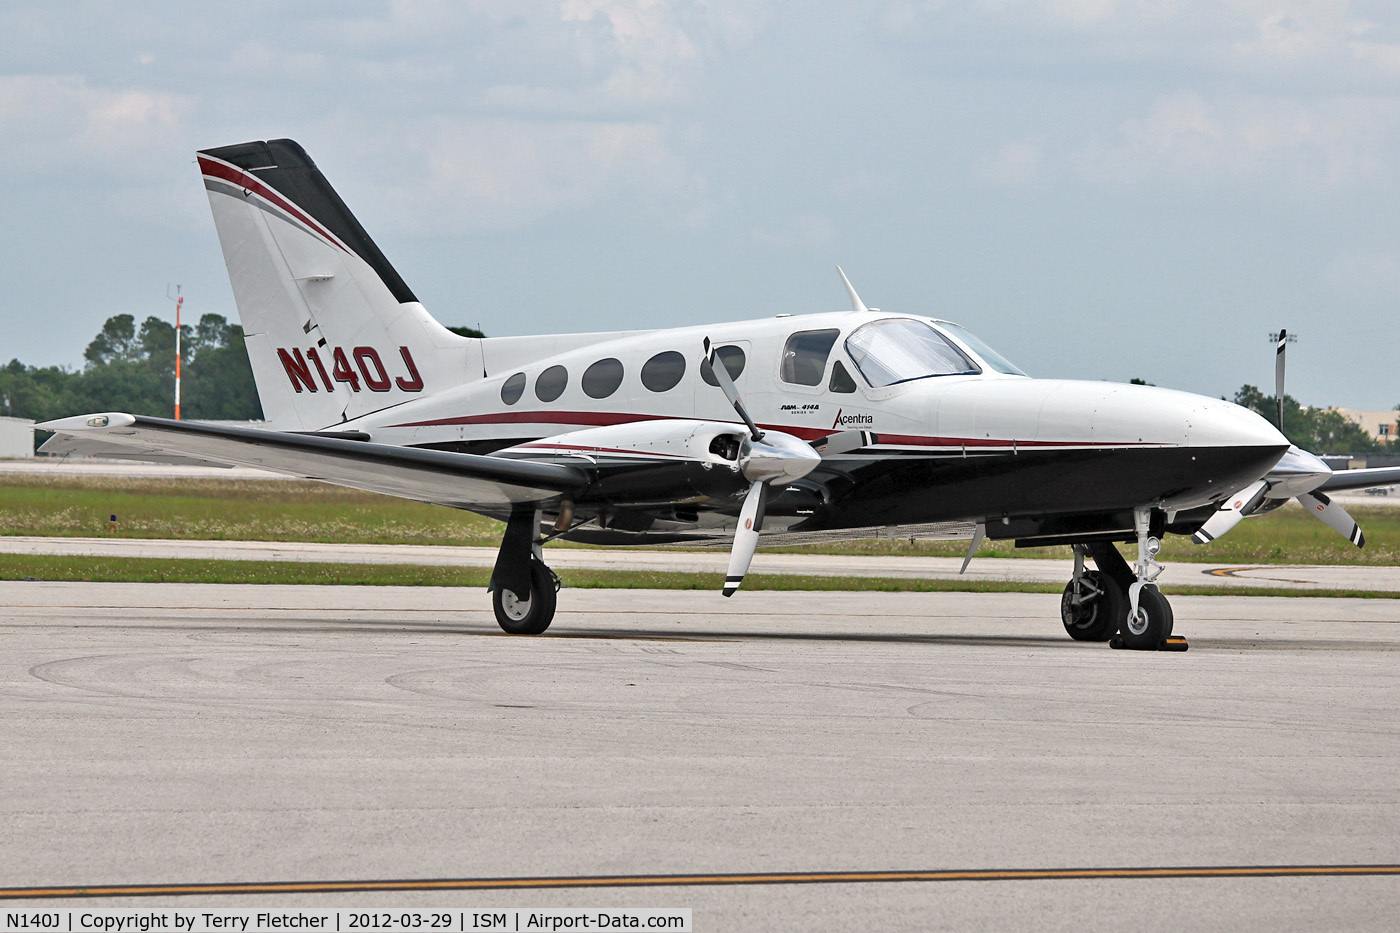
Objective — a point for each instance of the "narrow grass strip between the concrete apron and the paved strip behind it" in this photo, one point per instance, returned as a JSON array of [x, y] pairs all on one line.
[[68, 569]]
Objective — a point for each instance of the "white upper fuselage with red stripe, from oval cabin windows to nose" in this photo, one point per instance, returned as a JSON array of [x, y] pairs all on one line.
[[965, 414]]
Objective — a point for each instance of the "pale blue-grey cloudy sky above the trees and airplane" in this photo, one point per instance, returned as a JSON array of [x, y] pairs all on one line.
[[1100, 188]]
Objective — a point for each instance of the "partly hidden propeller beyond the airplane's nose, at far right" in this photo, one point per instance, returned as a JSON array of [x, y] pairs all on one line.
[[1297, 476]]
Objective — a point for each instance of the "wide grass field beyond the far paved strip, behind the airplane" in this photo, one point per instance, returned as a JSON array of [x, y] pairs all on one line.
[[290, 511]]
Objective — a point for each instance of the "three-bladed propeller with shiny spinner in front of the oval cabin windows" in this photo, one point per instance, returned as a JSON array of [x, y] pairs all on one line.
[[765, 457]]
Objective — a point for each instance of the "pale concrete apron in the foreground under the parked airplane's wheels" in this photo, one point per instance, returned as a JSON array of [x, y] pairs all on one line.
[[241, 733]]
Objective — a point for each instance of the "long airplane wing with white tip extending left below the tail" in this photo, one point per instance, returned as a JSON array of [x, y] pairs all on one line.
[[463, 481]]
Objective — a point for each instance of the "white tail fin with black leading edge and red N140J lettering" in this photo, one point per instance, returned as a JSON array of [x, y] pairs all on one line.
[[332, 330]]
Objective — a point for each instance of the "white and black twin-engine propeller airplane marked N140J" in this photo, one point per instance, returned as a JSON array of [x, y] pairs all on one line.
[[814, 428]]
